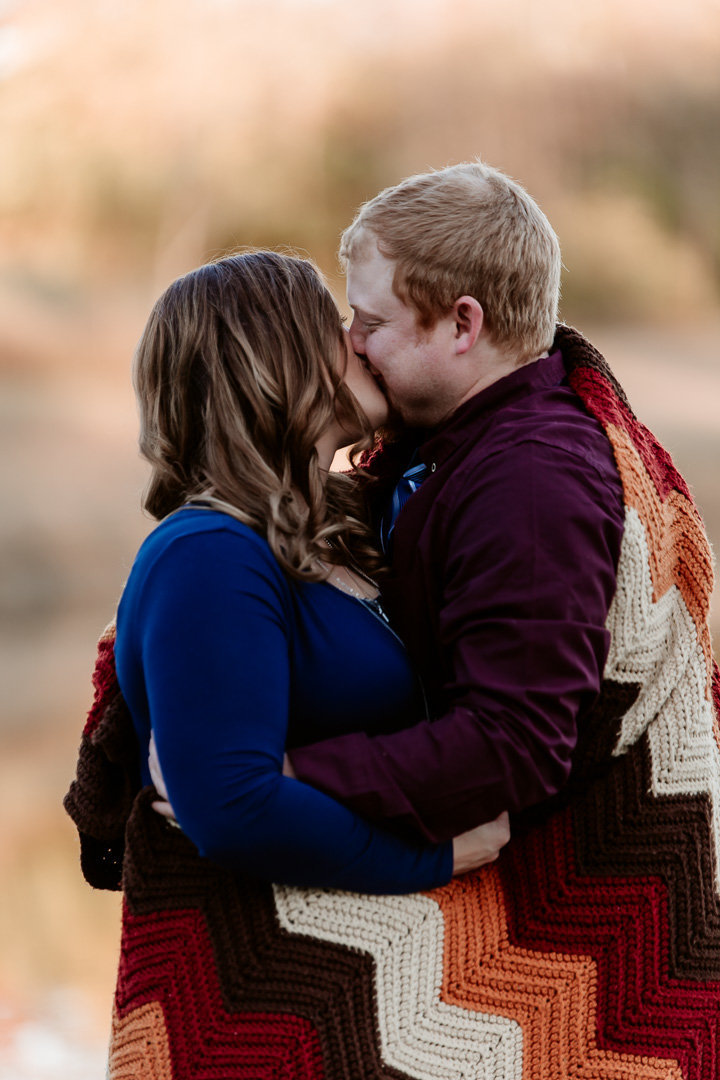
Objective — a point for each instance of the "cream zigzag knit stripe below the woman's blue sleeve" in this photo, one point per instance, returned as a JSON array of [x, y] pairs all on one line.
[[419, 1034]]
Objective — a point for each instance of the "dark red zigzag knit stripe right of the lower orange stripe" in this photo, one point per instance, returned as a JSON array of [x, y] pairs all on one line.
[[623, 924]]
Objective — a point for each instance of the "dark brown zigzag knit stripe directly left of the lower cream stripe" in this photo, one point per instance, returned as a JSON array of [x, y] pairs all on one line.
[[261, 968]]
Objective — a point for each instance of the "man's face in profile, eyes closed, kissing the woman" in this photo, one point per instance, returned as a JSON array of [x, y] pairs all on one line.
[[412, 366]]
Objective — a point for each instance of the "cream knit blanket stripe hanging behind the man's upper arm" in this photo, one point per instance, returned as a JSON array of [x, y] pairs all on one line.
[[655, 643]]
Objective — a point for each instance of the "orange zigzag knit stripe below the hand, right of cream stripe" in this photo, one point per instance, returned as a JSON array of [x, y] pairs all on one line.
[[553, 997]]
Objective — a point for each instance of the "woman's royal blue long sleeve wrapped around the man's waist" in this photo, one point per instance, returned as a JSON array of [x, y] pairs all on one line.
[[206, 647]]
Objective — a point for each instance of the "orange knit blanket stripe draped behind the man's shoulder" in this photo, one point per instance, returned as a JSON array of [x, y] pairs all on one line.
[[673, 526]]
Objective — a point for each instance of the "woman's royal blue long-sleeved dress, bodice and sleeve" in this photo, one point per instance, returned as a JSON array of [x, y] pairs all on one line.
[[229, 663]]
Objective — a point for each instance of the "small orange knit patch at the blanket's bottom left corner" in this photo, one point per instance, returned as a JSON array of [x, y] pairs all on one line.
[[140, 1049]]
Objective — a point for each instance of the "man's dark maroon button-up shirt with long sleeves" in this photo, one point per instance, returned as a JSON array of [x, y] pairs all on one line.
[[505, 568]]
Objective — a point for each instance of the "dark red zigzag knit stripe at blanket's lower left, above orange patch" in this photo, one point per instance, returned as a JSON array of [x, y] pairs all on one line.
[[168, 958]]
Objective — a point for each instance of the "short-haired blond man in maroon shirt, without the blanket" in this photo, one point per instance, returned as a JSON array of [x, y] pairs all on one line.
[[505, 561]]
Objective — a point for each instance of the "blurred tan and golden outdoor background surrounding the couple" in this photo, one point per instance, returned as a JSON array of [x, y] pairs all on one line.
[[141, 138]]
